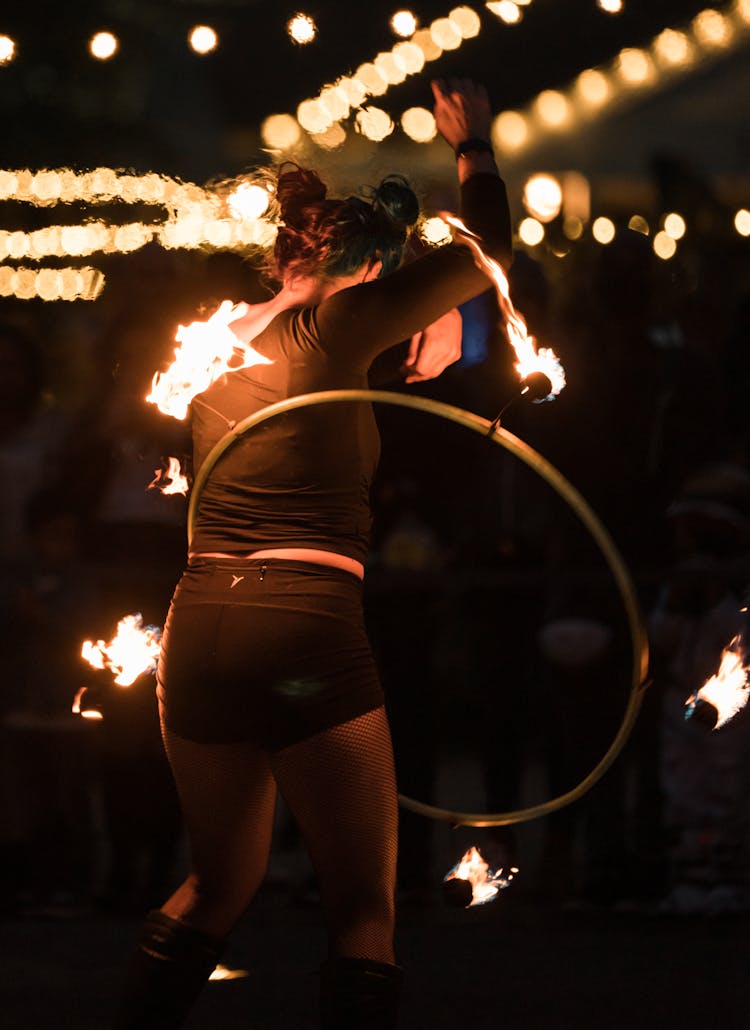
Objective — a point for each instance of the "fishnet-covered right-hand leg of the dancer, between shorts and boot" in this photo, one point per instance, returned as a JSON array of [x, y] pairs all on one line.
[[340, 786]]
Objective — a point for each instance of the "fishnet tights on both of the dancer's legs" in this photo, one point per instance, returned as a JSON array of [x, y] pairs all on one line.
[[339, 785]]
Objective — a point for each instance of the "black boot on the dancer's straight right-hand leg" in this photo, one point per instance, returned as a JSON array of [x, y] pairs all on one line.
[[358, 994]]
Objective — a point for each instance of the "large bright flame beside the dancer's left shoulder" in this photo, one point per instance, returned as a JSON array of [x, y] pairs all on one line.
[[209, 350]]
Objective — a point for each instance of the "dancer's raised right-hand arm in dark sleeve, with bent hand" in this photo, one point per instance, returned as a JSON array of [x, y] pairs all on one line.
[[358, 324]]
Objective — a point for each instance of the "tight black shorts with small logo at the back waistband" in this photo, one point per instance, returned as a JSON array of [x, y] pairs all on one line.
[[265, 650]]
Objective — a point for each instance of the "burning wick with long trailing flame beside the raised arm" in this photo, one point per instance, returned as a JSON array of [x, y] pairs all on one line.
[[542, 375]]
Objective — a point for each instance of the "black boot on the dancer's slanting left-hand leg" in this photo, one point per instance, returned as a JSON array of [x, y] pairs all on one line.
[[166, 975]]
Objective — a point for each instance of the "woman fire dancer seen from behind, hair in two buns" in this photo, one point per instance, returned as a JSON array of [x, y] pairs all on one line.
[[266, 680]]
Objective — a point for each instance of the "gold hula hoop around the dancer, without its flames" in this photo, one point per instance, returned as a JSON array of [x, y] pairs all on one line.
[[565, 490]]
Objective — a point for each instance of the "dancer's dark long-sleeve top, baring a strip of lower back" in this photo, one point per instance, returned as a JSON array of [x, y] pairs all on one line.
[[303, 478]]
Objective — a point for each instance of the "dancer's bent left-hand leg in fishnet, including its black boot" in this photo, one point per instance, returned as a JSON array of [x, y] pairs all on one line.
[[228, 796]]
